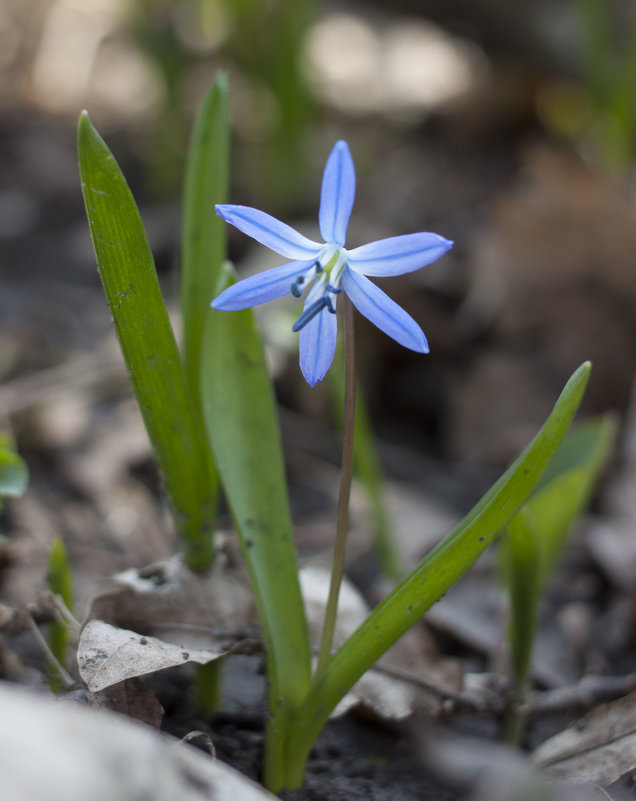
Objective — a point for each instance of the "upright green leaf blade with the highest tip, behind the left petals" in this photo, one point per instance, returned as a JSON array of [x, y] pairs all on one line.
[[204, 242]]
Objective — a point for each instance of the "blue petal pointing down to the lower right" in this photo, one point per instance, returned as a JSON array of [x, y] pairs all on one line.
[[378, 307]]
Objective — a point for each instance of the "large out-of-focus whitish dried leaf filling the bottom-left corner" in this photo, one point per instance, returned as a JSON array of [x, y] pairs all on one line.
[[59, 751]]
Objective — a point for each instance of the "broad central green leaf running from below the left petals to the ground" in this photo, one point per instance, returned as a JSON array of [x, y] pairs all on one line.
[[240, 414]]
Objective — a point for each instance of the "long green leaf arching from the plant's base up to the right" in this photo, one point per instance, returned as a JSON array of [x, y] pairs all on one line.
[[418, 591]]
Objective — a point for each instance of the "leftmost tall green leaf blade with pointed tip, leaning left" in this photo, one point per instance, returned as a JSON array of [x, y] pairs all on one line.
[[130, 281]]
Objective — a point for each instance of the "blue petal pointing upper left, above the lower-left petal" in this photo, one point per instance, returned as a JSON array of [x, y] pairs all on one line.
[[269, 231]]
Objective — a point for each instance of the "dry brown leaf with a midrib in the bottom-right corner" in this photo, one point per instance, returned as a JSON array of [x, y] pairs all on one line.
[[597, 749]]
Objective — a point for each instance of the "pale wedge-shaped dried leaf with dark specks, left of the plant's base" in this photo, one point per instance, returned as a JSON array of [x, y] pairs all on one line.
[[107, 655]]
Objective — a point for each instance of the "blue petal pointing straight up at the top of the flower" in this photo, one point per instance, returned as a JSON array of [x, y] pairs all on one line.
[[337, 194]]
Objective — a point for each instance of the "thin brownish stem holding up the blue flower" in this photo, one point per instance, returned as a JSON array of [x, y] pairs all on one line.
[[337, 568]]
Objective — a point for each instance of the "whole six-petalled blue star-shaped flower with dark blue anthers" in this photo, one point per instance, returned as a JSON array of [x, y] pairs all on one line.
[[331, 268]]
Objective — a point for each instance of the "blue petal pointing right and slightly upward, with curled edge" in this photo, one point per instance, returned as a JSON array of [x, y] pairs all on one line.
[[398, 254]]
